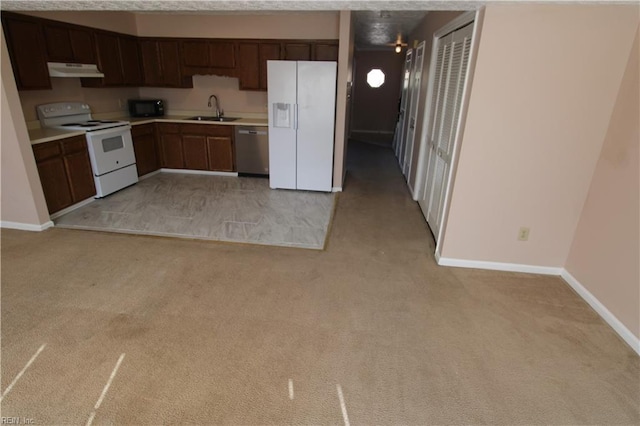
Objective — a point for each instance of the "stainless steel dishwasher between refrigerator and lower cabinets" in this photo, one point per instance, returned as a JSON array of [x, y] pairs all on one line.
[[252, 150]]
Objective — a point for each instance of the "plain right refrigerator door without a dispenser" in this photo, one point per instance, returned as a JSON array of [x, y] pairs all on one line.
[[315, 122]]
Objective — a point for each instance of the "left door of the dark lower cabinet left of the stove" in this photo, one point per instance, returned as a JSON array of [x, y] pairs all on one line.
[[53, 176]]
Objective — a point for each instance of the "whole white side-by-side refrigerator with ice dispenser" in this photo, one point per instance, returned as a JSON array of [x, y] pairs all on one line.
[[301, 99]]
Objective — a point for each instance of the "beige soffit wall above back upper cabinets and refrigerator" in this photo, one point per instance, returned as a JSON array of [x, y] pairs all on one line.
[[309, 25]]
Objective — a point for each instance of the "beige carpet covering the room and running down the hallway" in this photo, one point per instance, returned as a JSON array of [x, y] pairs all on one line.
[[213, 332]]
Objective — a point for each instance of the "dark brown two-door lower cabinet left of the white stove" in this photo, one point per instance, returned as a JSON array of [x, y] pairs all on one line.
[[65, 172]]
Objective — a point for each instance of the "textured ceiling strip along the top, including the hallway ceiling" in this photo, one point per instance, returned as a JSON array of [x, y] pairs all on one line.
[[377, 23]]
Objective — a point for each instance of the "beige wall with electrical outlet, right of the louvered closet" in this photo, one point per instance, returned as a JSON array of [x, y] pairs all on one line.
[[545, 83]]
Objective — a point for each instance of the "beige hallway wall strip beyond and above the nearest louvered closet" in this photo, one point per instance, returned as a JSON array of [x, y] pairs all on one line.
[[431, 23]]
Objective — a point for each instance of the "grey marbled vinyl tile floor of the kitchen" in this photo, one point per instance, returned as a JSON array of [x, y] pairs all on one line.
[[237, 209]]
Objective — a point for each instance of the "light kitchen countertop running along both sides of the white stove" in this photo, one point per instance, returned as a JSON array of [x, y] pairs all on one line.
[[41, 135]]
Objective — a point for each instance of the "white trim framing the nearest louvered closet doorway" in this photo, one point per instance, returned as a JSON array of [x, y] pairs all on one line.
[[476, 17]]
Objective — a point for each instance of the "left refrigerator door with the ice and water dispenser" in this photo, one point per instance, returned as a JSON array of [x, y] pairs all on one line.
[[281, 98]]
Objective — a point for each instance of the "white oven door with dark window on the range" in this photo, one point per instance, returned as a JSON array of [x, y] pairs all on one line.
[[110, 149]]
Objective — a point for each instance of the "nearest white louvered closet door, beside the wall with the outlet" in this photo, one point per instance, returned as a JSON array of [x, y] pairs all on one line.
[[451, 72]]
